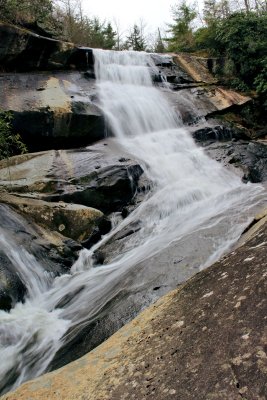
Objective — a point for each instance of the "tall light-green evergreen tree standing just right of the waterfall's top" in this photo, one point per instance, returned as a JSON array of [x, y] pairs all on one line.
[[182, 38]]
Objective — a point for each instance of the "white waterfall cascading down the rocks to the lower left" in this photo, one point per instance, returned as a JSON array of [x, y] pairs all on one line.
[[190, 194]]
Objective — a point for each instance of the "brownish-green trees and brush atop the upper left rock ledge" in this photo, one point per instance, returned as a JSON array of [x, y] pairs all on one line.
[[63, 19]]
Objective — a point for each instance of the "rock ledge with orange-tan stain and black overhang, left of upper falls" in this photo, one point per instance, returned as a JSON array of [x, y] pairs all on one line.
[[52, 110]]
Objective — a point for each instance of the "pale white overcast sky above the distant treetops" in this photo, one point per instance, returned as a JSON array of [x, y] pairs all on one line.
[[154, 13]]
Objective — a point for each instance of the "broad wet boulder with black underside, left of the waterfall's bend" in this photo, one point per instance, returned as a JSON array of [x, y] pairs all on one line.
[[94, 177]]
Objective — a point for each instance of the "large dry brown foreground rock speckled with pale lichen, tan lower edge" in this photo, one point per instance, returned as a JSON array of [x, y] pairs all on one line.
[[205, 339]]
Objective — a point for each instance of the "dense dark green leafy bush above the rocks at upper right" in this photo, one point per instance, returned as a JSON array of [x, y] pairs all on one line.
[[241, 38]]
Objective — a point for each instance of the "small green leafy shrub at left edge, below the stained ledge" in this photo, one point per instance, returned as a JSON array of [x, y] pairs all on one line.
[[10, 143]]
